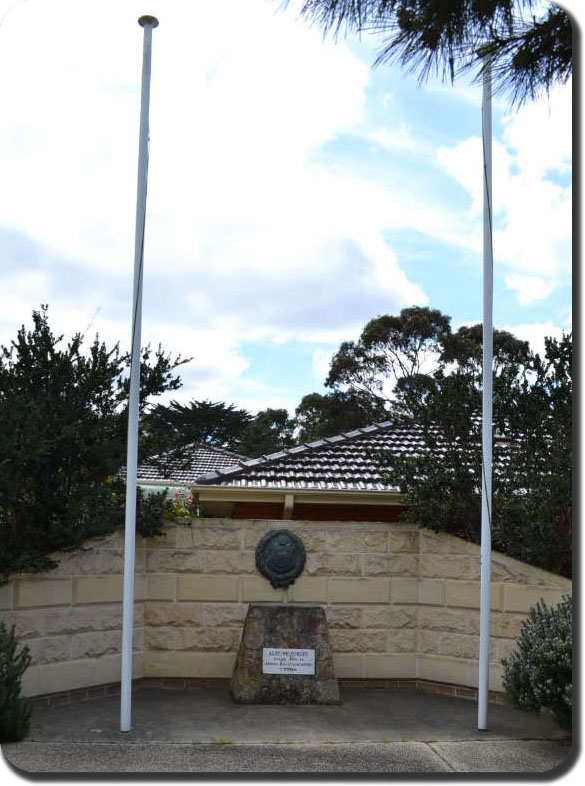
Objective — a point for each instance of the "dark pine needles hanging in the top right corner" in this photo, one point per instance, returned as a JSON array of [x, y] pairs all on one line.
[[529, 53]]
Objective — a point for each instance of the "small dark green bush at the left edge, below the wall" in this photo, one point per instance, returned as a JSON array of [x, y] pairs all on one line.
[[14, 711]]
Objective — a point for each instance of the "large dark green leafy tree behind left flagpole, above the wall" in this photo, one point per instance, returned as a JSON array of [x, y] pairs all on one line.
[[63, 431]]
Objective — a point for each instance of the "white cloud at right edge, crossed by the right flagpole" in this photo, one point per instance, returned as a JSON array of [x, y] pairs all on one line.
[[532, 209]]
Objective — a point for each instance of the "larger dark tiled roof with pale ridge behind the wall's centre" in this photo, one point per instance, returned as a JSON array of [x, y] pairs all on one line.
[[343, 462]]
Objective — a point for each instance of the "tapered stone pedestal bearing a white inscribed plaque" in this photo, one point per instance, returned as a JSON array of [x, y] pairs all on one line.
[[285, 640]]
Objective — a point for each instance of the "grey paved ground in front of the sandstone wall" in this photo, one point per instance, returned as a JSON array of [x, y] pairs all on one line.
[[201, 730]]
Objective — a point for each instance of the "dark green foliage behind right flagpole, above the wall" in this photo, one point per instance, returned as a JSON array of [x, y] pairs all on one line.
[[531, 495]]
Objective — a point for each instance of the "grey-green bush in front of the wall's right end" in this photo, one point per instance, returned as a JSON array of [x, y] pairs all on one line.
[[539, 673]]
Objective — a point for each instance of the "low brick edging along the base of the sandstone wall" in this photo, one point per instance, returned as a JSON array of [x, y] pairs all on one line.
[[185, 683]]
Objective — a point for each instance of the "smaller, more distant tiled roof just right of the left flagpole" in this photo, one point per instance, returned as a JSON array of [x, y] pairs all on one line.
[[196, 460]]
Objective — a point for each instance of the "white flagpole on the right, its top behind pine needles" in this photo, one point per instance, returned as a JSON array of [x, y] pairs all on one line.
[[487, 399]]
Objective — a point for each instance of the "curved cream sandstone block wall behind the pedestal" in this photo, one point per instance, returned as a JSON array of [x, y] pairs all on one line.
[[400, 603]]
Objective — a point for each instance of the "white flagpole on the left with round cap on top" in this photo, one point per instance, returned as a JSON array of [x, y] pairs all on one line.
[[148, 23]]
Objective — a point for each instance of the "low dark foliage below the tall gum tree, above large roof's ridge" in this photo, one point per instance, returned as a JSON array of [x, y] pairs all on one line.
[[319, 416]]
